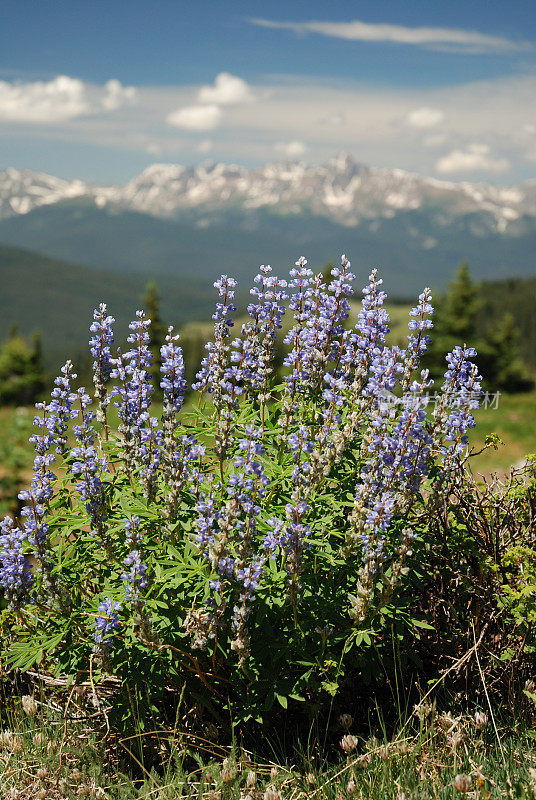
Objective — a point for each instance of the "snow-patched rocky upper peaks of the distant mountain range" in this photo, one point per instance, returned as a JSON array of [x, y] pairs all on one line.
[[340, 190]]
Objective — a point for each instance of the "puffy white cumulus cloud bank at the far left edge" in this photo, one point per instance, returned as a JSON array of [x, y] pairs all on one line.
[[60, 100]]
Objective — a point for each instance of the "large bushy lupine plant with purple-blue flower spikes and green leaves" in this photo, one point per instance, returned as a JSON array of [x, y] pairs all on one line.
[[254, 542]]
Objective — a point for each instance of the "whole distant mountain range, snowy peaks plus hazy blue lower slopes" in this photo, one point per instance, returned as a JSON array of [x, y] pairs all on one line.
[[194, 223]]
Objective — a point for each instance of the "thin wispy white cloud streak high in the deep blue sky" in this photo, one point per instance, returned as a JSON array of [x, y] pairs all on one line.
[[463, 40]]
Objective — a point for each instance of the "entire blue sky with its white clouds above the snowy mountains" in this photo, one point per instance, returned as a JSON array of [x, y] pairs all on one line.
[[100, 90]]
